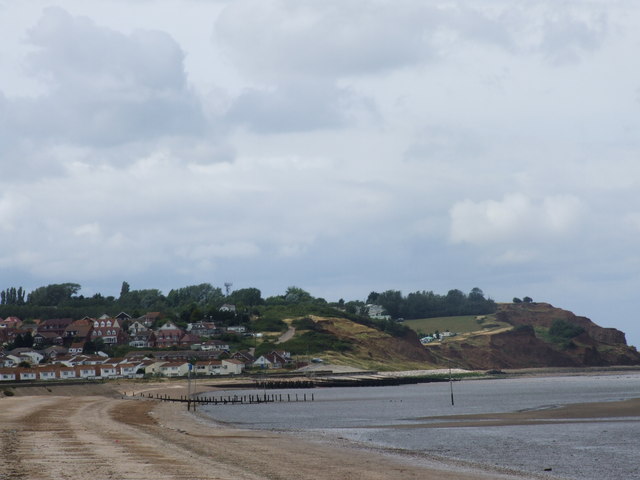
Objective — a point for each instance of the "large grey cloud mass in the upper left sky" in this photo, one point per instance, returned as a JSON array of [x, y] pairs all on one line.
[[105, 88]]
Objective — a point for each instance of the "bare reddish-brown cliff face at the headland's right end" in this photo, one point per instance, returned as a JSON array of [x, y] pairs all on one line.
[[528, 345]]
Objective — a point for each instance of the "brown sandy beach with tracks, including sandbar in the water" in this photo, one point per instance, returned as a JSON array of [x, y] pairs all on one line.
[[99, 433]]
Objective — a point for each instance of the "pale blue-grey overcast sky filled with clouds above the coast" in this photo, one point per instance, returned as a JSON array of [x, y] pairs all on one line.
[[341, 146]]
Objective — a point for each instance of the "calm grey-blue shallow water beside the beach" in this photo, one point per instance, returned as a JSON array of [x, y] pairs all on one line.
[[371, 416]]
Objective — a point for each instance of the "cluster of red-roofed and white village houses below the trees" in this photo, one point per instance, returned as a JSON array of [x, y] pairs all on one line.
[[58, 349]]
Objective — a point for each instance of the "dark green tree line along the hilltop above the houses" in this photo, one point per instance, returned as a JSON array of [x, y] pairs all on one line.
[[203, 301]]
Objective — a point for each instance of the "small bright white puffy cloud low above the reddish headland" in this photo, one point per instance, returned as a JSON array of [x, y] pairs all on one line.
[[516, 218]]
